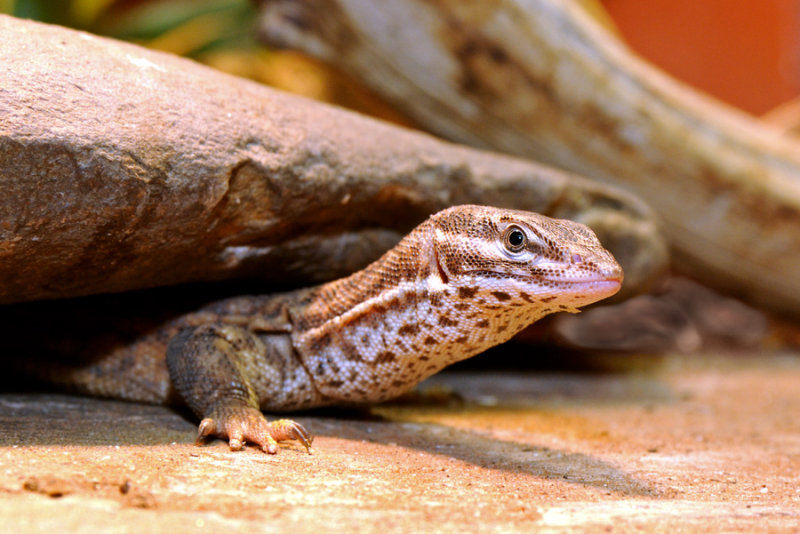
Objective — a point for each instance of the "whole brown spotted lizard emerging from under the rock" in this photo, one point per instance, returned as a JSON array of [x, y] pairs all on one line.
[[466, 279]]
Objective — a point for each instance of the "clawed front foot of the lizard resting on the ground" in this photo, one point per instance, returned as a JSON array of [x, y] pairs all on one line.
[[243, 424]]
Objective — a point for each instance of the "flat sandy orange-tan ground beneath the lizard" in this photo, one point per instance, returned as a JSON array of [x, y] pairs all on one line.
[[687, 444]]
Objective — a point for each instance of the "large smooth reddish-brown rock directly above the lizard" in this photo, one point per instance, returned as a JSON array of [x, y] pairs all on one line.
[[123, 168]]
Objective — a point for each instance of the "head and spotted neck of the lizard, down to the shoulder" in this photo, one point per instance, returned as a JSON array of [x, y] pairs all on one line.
[[468, 278]]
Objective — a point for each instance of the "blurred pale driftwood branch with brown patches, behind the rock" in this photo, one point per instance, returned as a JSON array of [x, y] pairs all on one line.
[[539, 79]]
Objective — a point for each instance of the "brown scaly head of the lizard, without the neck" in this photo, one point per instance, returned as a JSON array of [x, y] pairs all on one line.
[[517, 258]]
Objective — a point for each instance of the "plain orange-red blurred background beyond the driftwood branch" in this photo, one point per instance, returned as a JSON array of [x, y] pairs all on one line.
[[744, 52]]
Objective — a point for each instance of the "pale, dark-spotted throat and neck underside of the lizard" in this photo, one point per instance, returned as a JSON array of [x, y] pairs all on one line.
[[389, 343]]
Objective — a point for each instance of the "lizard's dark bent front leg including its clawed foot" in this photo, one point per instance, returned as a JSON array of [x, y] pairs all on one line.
[[224, 373]]
